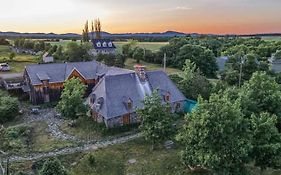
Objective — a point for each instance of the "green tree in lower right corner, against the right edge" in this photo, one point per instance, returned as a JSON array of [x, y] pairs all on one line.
[[266, 141]]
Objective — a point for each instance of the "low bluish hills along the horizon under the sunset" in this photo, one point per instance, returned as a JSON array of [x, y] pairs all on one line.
[[167, 34]]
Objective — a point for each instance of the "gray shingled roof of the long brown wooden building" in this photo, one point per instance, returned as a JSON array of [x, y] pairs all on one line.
[[58, 72]]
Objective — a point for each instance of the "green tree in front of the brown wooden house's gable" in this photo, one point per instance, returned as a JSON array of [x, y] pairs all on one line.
[[71, 104]]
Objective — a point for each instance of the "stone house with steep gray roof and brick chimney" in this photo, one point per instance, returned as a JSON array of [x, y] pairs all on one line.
[[116, 97]]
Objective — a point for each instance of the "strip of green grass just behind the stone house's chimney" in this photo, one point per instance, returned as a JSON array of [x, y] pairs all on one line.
[[129, 64]]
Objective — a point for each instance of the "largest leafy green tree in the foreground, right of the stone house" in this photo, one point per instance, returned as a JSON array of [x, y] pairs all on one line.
[[215, 136]]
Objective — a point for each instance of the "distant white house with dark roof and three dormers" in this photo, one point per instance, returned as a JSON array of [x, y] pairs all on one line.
[[102, 46]]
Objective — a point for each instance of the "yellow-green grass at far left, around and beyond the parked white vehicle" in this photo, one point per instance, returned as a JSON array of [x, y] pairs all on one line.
[[18, 63]]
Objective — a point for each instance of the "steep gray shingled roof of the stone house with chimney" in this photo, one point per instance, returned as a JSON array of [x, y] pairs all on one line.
[[115, 88]]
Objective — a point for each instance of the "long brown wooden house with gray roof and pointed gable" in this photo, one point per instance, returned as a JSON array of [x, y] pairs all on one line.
[[44, 82]]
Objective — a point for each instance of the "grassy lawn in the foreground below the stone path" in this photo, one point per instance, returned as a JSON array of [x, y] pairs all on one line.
[[114, 160]]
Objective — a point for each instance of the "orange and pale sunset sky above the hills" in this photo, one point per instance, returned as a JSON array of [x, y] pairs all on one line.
[[121, 16]]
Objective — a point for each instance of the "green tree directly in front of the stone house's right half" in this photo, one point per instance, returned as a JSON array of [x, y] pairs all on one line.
[[156, 119]]
